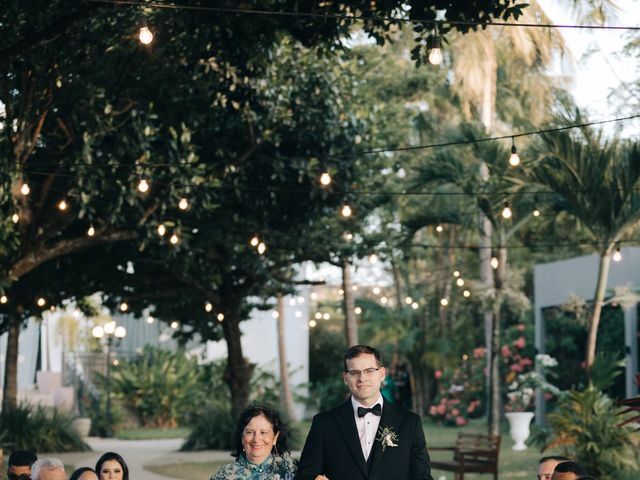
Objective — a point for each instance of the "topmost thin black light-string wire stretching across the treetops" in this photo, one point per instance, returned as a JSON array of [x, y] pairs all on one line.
[[355, 17]]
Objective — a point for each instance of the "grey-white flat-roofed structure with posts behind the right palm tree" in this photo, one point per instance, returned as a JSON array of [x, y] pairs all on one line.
[[553, 284]]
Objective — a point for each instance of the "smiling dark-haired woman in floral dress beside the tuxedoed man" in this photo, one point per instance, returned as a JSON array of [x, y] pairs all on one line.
[[260, 448]]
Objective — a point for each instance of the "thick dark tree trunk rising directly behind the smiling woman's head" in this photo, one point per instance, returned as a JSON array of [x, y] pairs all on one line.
[[239, 371]]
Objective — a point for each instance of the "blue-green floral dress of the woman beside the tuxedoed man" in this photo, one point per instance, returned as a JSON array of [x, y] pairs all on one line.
[[275, 467]]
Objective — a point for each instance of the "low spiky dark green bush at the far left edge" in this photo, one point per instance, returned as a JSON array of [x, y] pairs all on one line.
[[38, 429]]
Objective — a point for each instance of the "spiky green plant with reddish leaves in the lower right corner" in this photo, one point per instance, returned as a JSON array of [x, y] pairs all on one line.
[[585, 425]]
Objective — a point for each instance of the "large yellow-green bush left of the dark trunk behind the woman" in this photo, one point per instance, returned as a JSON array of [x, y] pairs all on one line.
[[159, 385]]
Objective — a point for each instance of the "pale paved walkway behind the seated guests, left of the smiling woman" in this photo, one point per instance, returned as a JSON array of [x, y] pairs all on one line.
[[139, 453]]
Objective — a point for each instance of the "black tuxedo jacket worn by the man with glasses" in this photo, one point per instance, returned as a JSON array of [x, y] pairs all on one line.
[[333, 448]]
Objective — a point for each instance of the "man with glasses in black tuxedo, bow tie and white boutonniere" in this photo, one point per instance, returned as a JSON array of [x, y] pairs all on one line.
[[365, 438]]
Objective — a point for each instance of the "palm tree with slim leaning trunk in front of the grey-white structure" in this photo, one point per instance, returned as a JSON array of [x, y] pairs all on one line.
[[597, 181]]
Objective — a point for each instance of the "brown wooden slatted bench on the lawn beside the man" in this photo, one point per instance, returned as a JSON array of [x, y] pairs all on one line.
[[473, 453]]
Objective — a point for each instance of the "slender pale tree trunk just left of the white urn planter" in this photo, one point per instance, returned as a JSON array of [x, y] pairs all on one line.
[[494, 371]]
